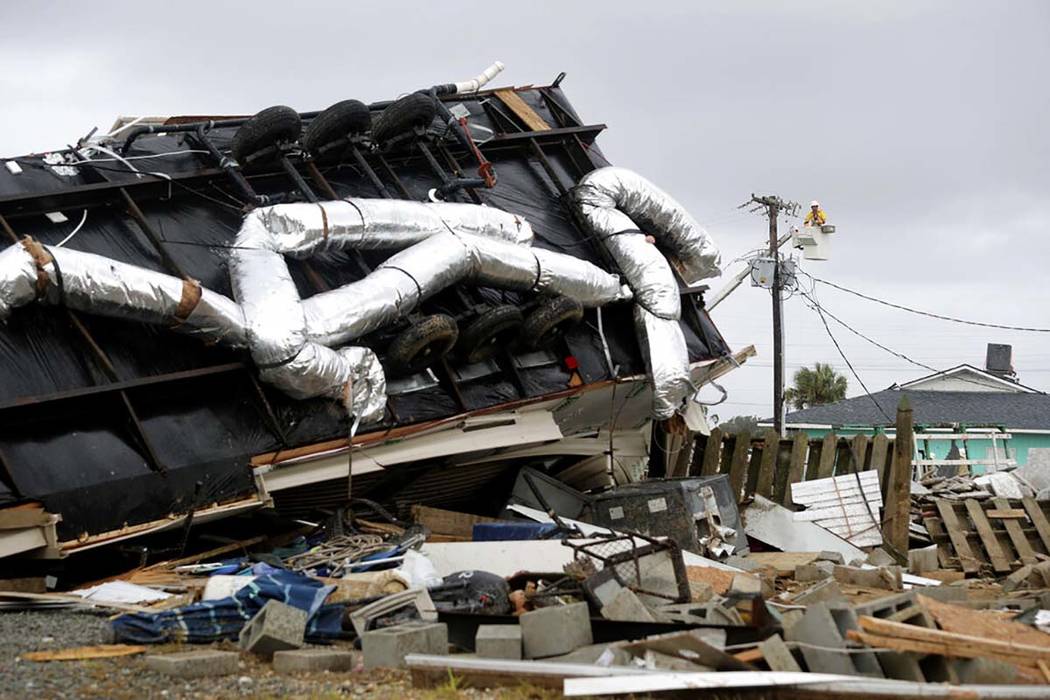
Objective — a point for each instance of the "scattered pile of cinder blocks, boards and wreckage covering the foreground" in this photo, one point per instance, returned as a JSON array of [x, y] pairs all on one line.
[[767, 597]]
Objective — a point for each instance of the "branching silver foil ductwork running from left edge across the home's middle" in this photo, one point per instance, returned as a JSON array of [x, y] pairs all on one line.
[[440, 245]]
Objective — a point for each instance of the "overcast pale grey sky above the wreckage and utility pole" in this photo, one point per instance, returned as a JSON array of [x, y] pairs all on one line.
[[921, 126]]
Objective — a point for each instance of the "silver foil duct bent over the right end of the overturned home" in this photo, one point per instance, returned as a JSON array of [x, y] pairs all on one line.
[[620, 208]]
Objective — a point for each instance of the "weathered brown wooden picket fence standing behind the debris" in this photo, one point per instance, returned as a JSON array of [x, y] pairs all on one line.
[[766, 464]]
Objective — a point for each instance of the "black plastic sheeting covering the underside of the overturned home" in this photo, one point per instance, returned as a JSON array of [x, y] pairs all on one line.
[[86, 458]]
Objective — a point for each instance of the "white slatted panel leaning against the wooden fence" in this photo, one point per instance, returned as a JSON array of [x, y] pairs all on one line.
[[847, 506]]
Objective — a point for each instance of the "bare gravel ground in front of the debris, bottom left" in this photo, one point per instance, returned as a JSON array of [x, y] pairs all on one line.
[[128, 677]]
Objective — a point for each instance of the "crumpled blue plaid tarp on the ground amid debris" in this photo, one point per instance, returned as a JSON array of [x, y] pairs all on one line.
[[212, 621]]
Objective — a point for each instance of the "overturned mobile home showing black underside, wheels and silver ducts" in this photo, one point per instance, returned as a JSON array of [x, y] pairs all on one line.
[[203, 315]]
